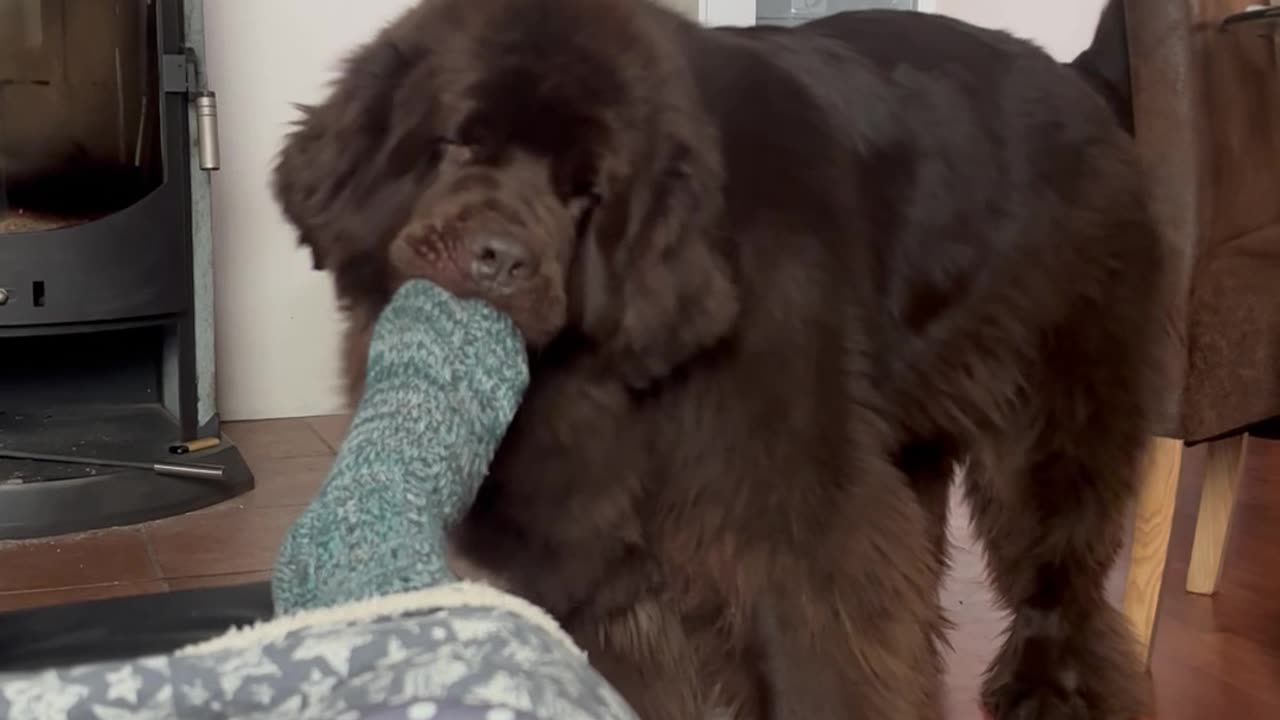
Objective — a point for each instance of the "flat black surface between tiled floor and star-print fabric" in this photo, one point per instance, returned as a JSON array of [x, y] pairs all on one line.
[[126, 628]]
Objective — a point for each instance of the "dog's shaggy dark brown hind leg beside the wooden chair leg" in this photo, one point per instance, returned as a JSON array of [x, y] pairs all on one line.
[[1050, 502]]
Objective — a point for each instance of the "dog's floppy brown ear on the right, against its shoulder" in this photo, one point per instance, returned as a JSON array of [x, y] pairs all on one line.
[[650, 285]]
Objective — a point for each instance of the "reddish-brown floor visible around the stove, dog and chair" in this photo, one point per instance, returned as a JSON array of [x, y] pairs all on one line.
[[1214, 658]]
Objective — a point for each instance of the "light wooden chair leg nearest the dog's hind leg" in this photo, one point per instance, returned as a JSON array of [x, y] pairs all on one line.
[[1154, 521]]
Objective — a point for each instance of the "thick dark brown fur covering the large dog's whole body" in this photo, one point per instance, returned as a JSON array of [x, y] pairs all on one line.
[[824, 267]]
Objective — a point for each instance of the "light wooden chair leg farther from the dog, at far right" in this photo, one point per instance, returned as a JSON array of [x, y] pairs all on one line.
[[1214, 522]]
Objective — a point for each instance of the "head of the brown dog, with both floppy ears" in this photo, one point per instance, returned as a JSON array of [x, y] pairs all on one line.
[[551, 158]]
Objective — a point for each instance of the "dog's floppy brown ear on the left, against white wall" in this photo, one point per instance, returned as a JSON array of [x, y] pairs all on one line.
[[332, 175]]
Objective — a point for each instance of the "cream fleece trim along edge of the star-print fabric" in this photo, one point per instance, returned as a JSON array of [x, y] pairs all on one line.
[[454, 595]]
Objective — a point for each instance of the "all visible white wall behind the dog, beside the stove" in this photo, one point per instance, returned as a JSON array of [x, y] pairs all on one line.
[[277, 325]]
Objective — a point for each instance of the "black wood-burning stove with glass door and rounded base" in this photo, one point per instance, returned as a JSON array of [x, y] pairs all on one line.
[[106, 262]]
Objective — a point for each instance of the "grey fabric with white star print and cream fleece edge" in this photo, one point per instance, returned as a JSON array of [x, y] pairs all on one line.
[[463, 662]]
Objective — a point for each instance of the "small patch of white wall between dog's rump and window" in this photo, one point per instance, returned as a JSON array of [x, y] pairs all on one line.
[[1063, 28]]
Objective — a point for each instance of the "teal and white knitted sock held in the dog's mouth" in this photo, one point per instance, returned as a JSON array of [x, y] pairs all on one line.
[[445, 380]]
